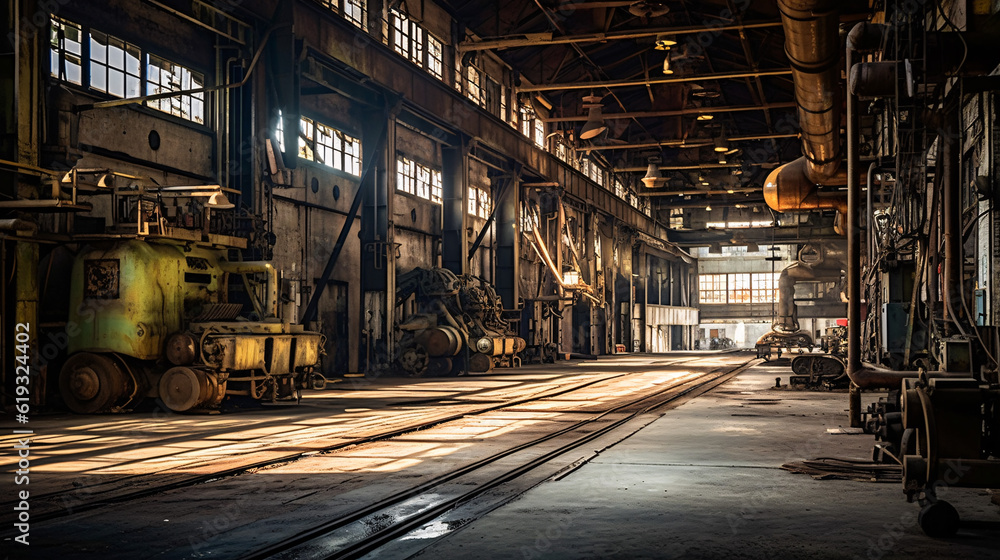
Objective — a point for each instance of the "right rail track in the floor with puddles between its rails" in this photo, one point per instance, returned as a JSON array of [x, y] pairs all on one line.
[[366, 530]]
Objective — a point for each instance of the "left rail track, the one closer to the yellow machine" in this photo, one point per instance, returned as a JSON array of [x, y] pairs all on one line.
[[66, 502]]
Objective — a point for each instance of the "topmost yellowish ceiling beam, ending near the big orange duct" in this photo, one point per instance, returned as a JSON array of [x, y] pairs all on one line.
[[545, 39]]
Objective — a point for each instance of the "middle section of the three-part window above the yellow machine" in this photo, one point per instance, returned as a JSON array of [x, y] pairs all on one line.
[[115, 66]]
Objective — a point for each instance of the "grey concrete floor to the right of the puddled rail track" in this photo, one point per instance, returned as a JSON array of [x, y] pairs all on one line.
[[703, 481]]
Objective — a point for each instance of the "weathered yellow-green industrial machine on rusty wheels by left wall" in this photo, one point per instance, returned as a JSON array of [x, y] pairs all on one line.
[[151, 315]]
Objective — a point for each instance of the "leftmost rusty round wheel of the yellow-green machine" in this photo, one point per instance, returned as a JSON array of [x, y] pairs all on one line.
[[92, 383]]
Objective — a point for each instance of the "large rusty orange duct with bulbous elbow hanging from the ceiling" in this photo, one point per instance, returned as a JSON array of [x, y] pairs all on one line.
[[812, 44]]
